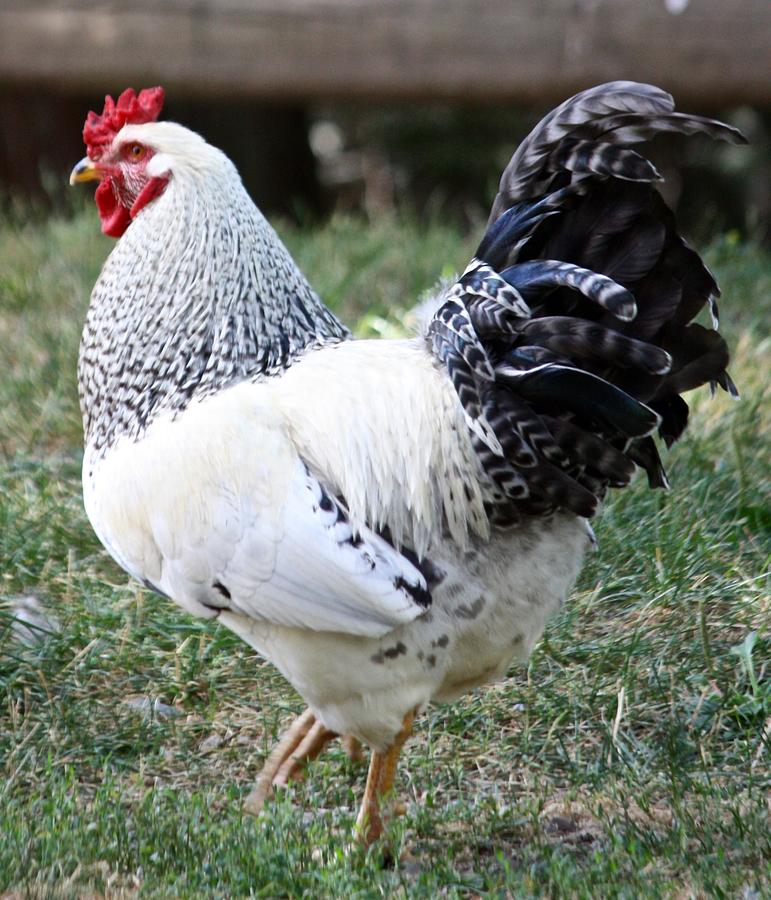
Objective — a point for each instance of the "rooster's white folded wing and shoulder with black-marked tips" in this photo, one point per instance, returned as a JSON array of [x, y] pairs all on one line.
[[216, 510]]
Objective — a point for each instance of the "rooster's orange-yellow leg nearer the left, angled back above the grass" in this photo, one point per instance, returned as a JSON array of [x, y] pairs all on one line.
[[302, 742]]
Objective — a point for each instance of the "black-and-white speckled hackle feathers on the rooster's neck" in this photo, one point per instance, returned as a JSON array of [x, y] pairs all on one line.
[[179, 315]]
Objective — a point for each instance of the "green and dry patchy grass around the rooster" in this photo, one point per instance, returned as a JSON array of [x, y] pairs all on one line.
[[630, 759]]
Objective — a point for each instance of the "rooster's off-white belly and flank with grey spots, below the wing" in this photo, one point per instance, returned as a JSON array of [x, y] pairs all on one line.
[[489, 610]]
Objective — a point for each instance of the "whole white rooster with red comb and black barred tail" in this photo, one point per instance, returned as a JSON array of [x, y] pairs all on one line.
[[389, 522]]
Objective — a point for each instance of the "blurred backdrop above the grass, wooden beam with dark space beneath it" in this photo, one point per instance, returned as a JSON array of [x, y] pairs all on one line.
[[378, 105]]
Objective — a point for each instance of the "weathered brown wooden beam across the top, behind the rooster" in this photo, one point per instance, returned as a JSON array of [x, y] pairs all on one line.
[[712, 52]]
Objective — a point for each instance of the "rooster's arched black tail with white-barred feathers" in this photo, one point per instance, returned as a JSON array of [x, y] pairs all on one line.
[[569, 338]]
